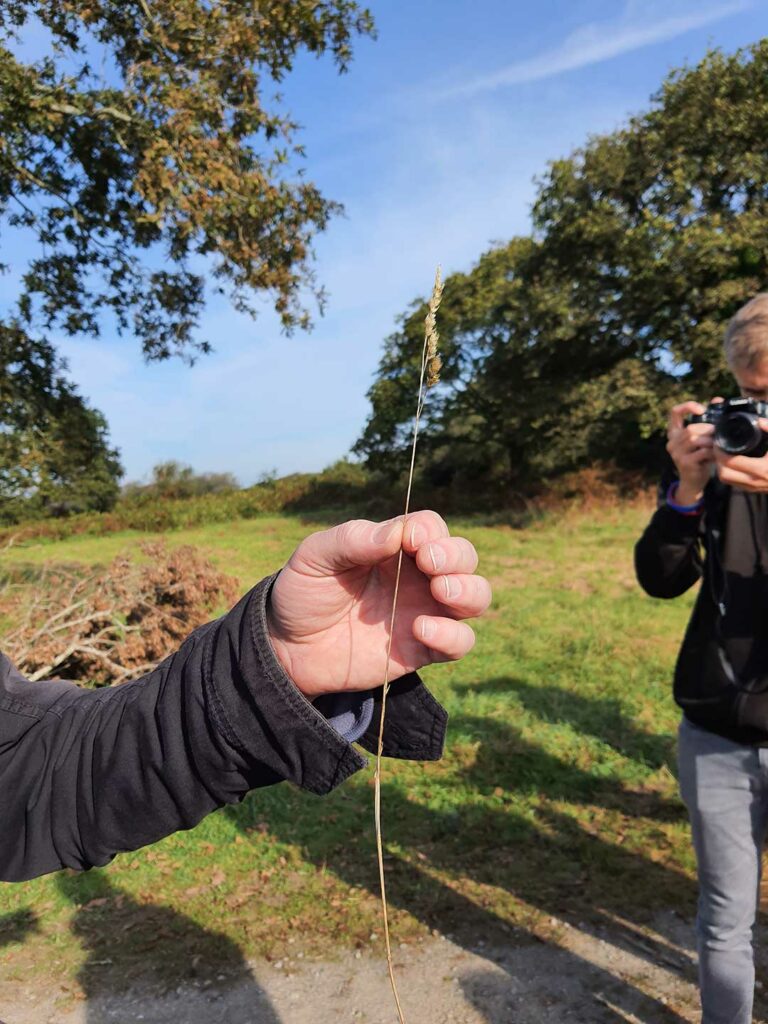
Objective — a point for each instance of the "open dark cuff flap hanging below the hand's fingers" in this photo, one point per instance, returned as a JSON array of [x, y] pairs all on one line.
[[415, 724]]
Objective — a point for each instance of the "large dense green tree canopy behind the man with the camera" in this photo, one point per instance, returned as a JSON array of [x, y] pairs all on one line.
[[567, 347]]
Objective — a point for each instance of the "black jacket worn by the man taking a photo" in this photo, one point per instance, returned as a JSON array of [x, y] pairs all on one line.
[[721, 676]]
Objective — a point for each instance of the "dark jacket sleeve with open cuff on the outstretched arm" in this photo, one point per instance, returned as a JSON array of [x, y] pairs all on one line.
[[86, 775]]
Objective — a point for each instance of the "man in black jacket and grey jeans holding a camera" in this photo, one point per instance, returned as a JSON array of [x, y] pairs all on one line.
[[712, 525]]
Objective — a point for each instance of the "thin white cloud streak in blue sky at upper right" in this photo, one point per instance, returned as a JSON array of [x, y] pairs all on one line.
[[596, 42]]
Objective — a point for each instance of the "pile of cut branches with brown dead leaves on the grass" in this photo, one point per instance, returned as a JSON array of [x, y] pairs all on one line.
[[104, 628]]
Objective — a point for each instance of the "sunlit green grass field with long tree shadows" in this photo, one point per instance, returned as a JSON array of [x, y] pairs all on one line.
[[557, 798]]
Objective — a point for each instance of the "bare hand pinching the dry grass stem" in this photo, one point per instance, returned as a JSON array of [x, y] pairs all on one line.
[[331, 607]]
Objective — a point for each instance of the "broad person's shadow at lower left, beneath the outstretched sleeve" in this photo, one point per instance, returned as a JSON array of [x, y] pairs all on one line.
[[154, 961]]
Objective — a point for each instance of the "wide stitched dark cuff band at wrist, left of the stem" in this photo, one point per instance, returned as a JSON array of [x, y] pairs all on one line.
[[265, 705]]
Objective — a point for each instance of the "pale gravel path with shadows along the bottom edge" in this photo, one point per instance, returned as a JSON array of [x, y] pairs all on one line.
[[577, 975]]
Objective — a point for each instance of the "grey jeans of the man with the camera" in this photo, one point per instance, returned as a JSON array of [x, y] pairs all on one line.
[[726, 788]]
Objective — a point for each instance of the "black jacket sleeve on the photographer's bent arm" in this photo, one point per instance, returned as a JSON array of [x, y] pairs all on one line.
[[668, 557]]
